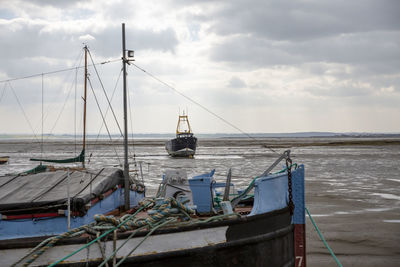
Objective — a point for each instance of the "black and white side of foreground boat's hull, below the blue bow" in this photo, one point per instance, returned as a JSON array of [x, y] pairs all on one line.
[[259, 240]]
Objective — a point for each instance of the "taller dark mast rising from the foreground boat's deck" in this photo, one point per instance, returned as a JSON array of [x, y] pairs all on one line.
[[126, 164]]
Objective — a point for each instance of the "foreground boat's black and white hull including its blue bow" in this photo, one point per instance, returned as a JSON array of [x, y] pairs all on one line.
[[268, 236]]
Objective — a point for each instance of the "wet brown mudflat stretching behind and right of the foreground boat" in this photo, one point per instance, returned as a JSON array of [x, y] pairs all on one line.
[[352, 184]]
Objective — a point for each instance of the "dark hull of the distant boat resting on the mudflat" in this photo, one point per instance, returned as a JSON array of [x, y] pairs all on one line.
[[182, 146]]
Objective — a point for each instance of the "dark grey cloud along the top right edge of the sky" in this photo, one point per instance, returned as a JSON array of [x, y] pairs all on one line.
[[302, 20]]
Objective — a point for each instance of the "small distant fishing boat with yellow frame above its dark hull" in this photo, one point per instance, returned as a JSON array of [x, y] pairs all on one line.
[[185, 143]]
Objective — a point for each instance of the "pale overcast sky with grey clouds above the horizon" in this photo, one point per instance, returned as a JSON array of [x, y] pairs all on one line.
[[264, 66]]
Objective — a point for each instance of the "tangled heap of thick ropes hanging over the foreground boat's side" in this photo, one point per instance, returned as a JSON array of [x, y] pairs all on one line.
[[164, 212]]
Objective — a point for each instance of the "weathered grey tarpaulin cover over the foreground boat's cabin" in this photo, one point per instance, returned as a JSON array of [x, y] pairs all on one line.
[[45, 189]]
